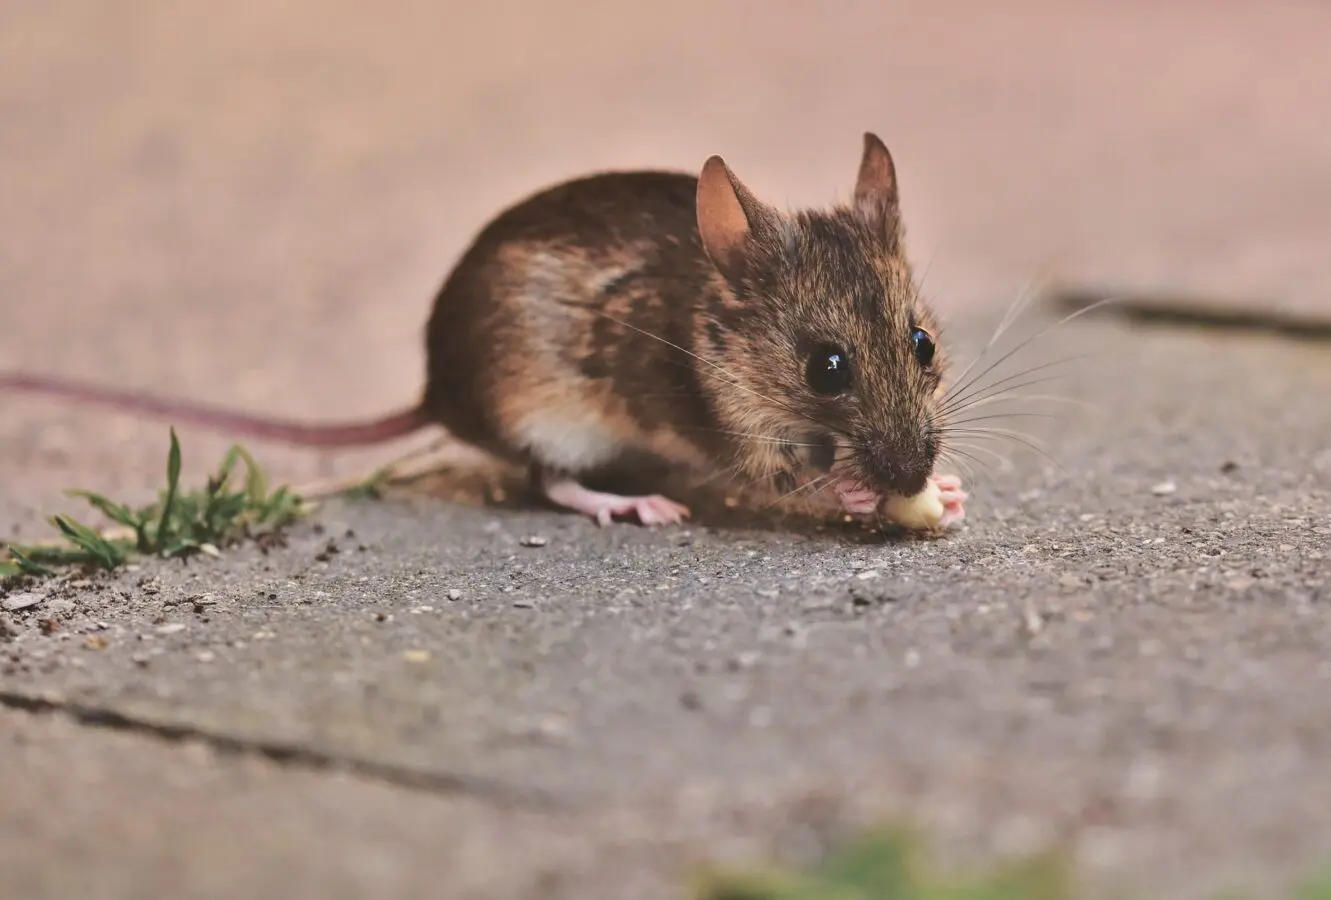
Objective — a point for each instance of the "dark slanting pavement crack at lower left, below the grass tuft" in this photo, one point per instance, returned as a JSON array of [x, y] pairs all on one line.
[[296, 756]]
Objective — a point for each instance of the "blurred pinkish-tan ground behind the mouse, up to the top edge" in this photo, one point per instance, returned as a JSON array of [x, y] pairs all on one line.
[[255, 203]]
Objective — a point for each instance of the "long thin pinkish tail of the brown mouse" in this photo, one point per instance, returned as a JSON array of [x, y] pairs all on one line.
[[222, 420]]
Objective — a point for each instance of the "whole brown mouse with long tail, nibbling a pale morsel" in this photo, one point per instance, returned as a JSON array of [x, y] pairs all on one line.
[[670, 315]]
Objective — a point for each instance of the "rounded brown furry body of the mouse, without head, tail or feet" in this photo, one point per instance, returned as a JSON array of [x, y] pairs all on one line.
[[562, 311]]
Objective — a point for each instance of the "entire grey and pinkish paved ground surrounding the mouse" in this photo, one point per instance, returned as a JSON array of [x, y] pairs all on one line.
[[255, 206]]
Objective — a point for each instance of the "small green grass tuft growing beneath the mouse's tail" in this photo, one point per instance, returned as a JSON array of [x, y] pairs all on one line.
[[179, 524]]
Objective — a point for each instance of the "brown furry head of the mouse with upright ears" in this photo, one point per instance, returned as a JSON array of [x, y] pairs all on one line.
[[822, 356]]
